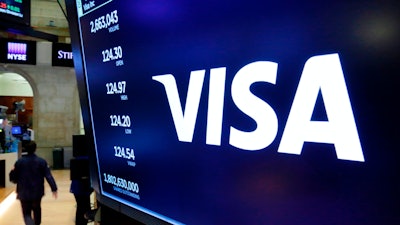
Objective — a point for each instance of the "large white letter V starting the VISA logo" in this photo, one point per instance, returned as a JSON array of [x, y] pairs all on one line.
[[184, 119]]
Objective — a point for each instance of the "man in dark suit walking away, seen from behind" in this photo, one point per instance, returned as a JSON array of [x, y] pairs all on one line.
[[29, 174]]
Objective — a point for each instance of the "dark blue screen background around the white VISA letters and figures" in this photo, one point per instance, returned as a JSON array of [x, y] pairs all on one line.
[[196, 183]]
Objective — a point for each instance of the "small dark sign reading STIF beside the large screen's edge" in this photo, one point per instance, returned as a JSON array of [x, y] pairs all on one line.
[[62, 55]]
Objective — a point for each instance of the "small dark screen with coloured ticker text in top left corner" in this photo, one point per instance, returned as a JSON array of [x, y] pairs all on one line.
[[17, 11]]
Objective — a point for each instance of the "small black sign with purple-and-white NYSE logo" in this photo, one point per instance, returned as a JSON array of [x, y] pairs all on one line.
[[17, 51]]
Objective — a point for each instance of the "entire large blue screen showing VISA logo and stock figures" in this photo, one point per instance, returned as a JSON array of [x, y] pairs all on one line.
[[245, 112]]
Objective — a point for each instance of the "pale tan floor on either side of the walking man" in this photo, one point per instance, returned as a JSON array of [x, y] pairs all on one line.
[[60, 211]]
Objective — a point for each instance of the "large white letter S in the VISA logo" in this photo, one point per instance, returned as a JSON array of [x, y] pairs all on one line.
[[251, 105]]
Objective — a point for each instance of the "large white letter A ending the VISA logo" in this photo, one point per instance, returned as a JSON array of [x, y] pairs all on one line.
[[322, 73]]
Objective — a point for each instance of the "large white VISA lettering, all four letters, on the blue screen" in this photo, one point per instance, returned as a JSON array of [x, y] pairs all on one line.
[[320, 74]]
